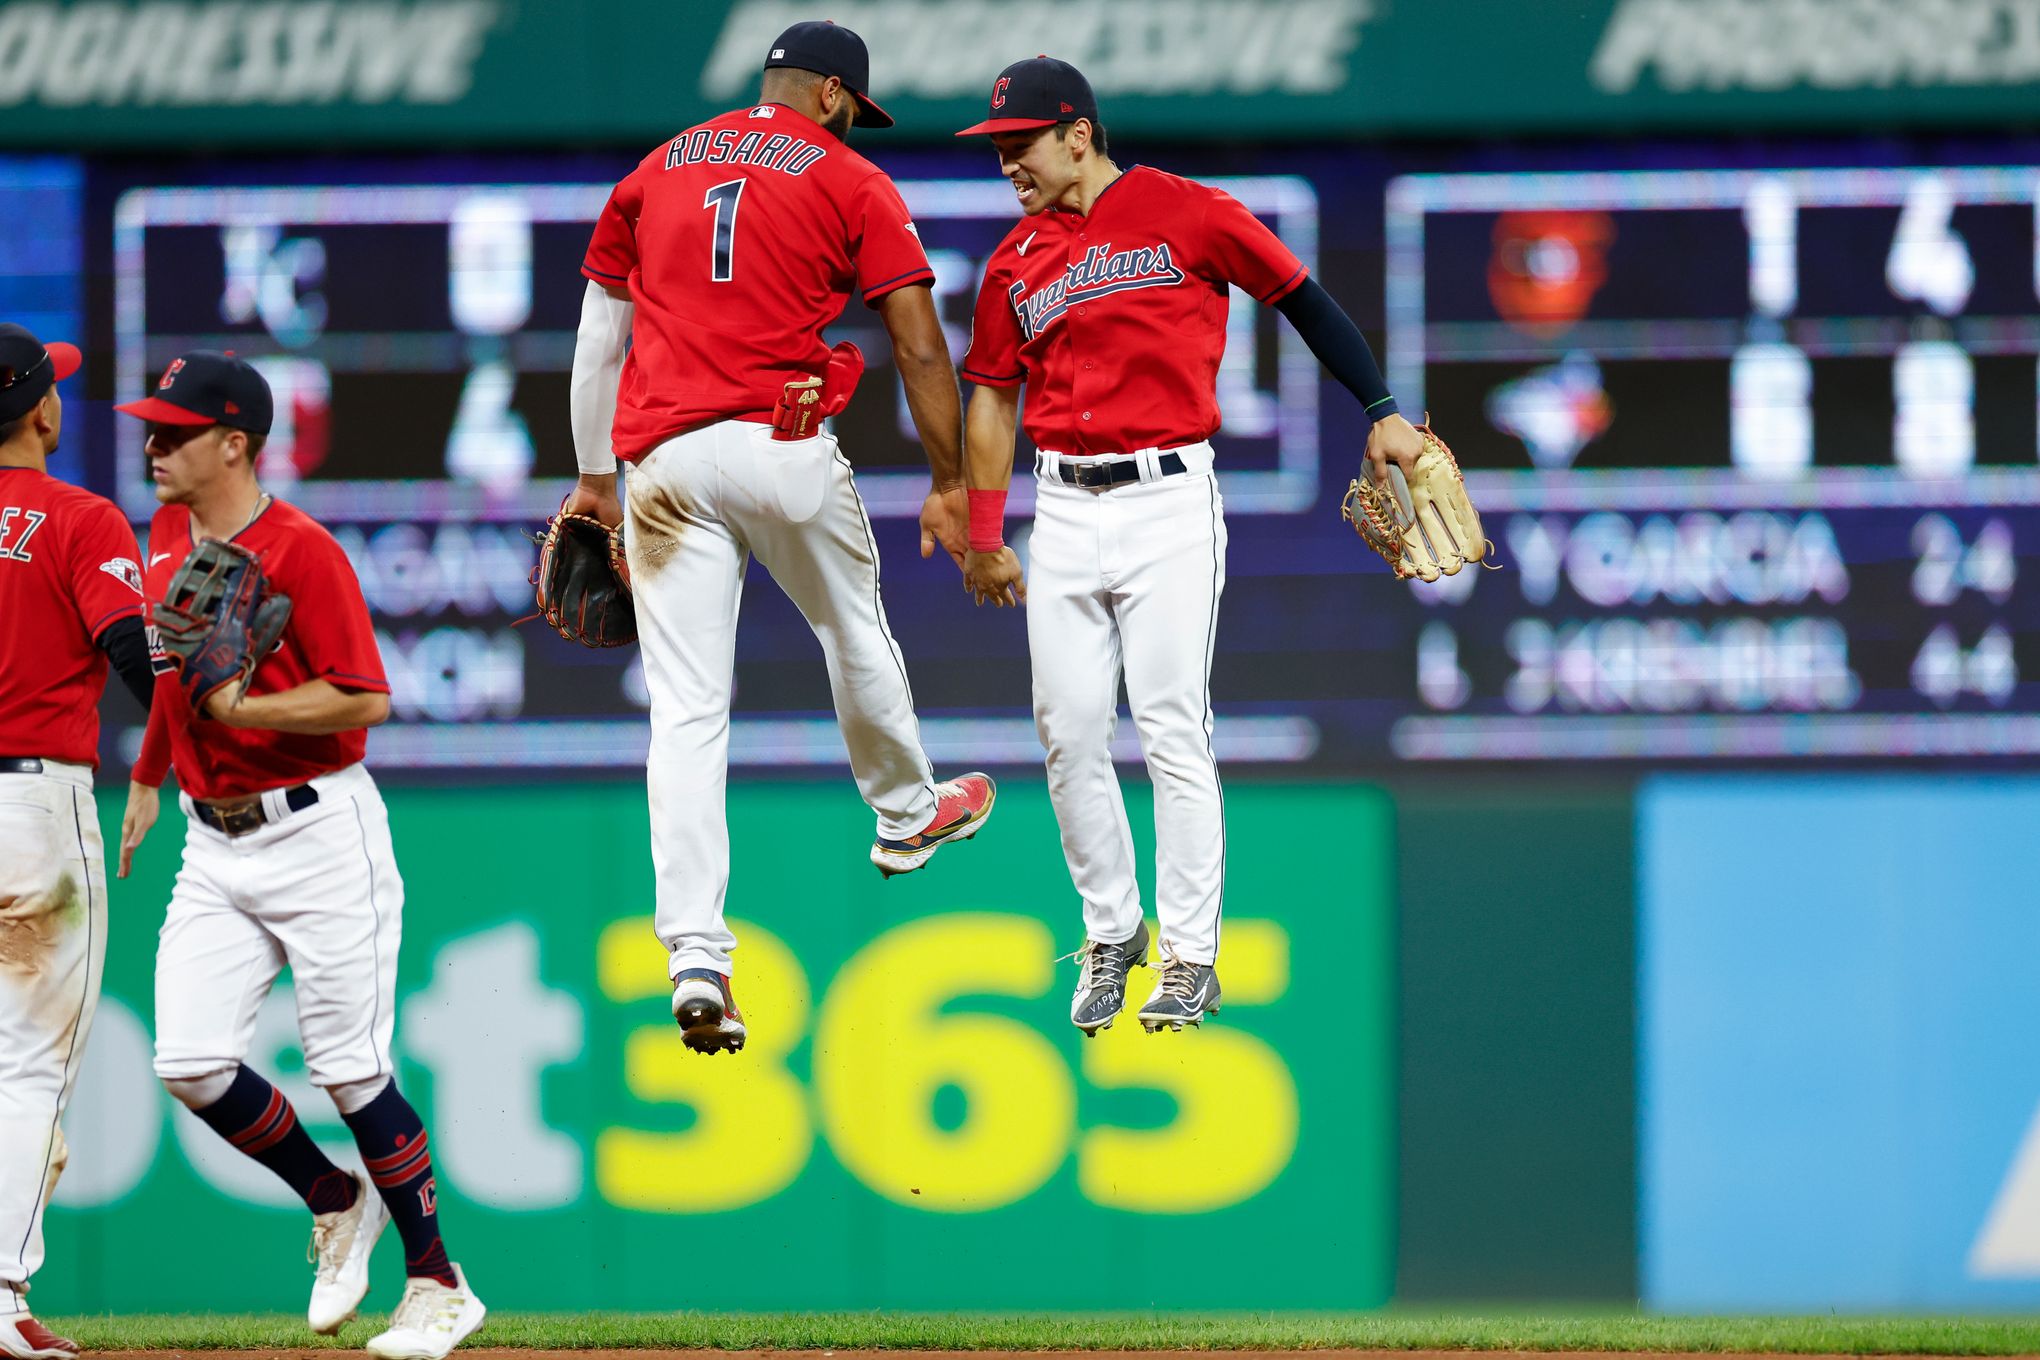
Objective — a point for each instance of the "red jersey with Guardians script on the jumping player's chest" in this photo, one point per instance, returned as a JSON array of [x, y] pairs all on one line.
[[1117, 321]]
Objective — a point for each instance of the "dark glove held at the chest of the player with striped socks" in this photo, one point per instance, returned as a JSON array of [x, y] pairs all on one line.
[[219, 619]]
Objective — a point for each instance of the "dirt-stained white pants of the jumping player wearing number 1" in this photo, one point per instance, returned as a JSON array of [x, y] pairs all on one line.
[[697, 509]]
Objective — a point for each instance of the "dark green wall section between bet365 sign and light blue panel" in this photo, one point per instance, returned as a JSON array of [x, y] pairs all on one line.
[[1517, 1049]]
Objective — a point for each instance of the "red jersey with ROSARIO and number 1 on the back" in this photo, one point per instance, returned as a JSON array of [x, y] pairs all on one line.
[[742, 240]]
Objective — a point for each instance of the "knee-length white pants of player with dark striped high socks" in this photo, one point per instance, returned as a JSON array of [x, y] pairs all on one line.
[[317, 890]]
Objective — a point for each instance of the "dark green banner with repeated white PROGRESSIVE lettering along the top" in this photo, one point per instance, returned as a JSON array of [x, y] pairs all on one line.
[[197, 74]]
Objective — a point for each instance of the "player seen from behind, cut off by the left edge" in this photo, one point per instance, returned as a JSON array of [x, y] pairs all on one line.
[[70, 594]]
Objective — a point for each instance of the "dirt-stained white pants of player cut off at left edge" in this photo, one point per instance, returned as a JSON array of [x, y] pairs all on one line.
[[52, 959]]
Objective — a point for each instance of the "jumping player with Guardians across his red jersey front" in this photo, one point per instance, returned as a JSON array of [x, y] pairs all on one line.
[[1109, 305]]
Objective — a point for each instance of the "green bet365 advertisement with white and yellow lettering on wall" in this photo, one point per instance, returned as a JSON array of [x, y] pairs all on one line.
[[915, 1122]]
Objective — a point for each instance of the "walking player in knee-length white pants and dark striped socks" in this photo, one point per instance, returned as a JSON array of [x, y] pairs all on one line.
[[287, 859]]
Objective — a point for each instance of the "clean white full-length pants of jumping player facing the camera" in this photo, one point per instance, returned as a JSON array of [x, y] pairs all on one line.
[[1127, 580]]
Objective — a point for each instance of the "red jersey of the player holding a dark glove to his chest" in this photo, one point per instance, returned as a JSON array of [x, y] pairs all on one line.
[[329, 637]]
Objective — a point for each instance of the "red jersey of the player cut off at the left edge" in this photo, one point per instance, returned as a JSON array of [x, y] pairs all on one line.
[[68, 570]]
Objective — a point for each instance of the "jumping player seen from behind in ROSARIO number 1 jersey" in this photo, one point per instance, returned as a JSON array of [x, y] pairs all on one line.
[[711, 276]]
